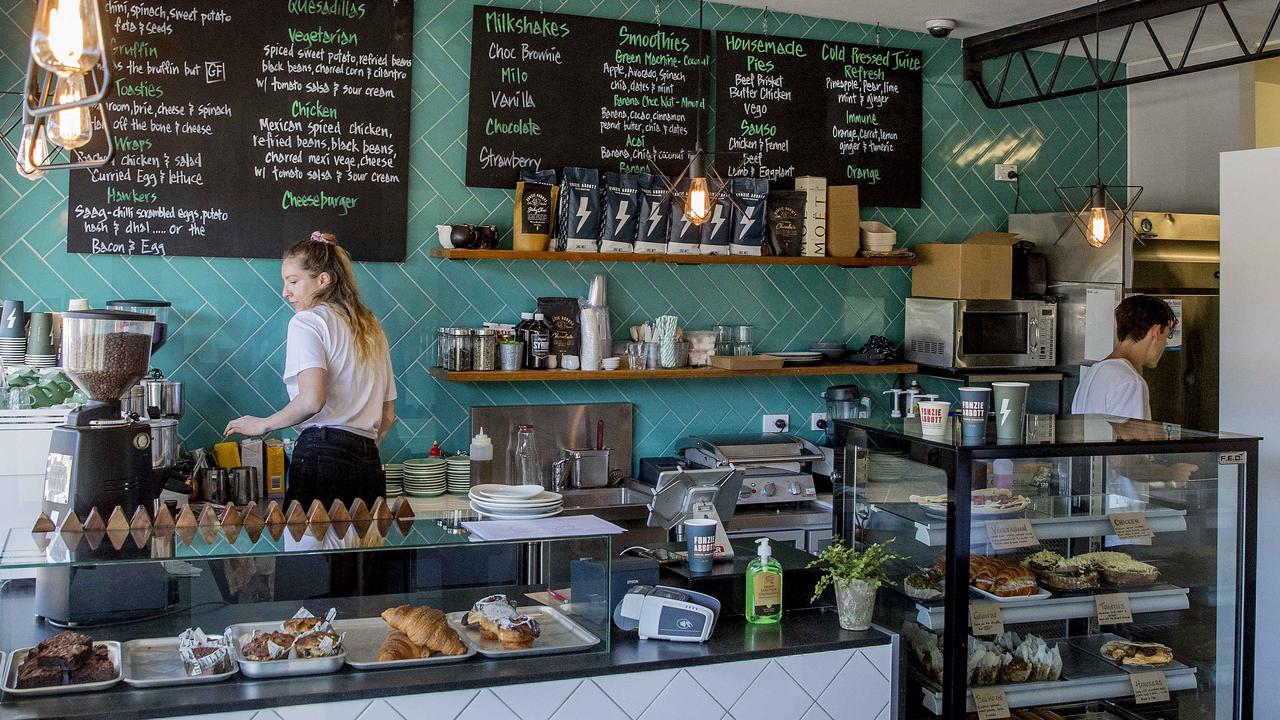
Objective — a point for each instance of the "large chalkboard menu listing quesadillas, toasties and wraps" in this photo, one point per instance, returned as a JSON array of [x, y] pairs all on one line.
[[241, 127]]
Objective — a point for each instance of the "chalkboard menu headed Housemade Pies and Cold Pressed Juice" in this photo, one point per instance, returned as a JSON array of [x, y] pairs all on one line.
[[851, 113]]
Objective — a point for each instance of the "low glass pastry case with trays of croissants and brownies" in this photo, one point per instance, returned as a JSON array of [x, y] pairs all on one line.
[[232, 600]]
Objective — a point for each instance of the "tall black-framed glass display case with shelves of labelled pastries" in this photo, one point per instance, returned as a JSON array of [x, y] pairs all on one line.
[[1099, 569]]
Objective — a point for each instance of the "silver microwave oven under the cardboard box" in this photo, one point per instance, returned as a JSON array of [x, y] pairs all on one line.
[[981, 334]]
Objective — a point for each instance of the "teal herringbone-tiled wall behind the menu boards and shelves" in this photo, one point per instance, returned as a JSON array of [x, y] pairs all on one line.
[[228, 331]]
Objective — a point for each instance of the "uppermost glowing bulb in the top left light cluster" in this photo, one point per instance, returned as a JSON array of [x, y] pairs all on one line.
[[66, 38]]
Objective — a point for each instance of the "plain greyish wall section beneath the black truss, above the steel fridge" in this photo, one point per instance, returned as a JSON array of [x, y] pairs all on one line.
[[1177, 130]]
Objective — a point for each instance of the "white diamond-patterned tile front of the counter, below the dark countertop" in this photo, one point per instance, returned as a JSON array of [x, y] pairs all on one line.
[[856, 686]]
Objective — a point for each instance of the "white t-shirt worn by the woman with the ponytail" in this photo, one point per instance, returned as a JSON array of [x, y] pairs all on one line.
[[321, 339]]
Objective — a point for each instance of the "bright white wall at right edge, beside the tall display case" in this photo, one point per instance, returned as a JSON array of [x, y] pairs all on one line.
[[1251, 357]]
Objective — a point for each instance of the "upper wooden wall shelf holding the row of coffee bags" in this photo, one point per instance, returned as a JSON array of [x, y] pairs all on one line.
[[450, 254]]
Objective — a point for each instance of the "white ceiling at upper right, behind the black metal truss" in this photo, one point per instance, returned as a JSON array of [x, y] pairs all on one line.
[[976, 17]]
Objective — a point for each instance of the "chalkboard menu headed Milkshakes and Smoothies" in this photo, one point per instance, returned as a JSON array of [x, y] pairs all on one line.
[[551, 92]]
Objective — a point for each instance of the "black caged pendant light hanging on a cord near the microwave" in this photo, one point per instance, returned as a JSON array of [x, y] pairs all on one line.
[[1094, 217]]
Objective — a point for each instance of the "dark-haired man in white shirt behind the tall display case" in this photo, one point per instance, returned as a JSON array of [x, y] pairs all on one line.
[[1116, 386]]
